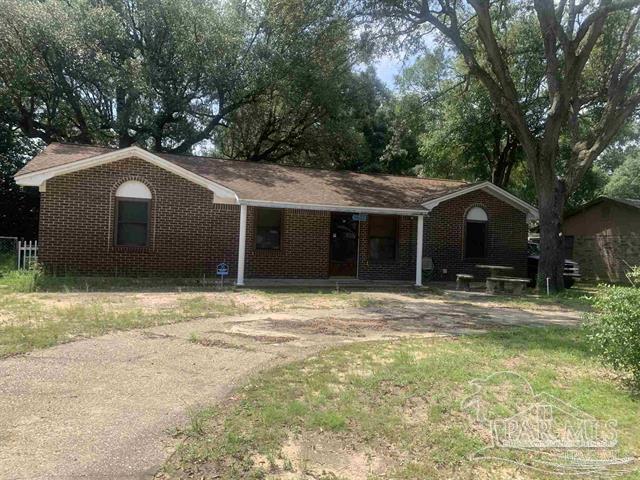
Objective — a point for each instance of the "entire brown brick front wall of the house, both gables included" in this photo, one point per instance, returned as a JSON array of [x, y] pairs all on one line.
[[189, 234]]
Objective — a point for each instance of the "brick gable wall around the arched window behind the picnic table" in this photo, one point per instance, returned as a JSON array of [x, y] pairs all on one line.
[[444, 236]]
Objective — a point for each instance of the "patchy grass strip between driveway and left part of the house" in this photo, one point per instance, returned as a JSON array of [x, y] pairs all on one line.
[[41, 319]]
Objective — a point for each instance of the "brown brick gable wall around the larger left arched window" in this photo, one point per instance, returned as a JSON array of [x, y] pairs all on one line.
[[189, 235]]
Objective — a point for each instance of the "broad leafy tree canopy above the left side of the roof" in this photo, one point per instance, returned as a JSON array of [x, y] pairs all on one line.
[[165, 74]]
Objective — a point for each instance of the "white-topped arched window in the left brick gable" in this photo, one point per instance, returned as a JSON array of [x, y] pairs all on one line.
[[133, 207]]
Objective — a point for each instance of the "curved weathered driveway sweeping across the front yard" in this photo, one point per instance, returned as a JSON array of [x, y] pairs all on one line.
[[106, 407]]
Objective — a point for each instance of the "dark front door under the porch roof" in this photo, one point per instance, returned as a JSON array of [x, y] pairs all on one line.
[[343, 253]]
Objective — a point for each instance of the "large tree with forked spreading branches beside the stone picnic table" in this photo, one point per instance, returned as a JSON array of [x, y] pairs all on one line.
[[589, 51]]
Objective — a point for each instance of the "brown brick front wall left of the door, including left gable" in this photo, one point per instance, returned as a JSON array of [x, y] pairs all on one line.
[[189, 234]]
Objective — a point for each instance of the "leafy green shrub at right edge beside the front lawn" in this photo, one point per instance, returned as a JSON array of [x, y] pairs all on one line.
[[614, 328]]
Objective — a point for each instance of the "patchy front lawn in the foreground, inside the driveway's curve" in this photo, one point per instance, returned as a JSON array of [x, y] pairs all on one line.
[[397, 410]]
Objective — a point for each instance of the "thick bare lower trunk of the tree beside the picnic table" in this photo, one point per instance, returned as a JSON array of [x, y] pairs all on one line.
[[551, 199]]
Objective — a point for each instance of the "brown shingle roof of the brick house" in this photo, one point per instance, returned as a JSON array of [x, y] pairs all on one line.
[[278, 183]]
